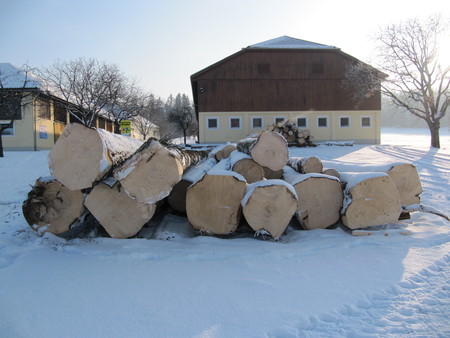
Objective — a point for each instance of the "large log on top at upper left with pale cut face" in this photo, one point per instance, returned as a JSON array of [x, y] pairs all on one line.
[[82, 156]]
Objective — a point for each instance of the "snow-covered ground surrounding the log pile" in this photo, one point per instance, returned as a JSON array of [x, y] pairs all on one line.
[[320, 283]]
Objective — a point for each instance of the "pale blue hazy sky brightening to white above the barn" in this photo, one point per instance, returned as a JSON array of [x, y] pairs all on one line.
[[161, 43]]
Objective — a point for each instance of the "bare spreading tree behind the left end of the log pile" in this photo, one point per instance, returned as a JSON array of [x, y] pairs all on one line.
[[87, 85]]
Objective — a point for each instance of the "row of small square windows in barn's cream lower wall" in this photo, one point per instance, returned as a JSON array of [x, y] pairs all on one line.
[[302, 122]]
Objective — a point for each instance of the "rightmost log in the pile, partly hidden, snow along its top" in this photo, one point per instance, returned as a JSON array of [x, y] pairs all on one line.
[[404, 175]]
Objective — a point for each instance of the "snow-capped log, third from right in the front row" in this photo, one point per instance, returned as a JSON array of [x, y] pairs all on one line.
[[319, 198]]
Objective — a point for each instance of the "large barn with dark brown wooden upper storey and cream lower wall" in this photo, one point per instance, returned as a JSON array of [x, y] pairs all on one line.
[[283, 79]]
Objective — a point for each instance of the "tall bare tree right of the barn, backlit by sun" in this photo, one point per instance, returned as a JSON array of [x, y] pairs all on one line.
[[417, 81]]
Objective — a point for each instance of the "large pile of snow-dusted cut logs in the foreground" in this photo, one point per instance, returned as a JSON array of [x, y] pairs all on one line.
[[120, 182]]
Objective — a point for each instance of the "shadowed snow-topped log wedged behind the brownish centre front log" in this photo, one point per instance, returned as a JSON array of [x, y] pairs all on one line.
[[177, 197]]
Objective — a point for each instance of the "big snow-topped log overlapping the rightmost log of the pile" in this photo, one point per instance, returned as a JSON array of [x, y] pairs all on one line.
[[369, 199]]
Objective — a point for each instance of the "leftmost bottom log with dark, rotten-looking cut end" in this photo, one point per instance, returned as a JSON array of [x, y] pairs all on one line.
[[52, 207]]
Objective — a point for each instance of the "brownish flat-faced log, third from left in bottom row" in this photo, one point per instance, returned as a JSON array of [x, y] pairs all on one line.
[[213, 204]]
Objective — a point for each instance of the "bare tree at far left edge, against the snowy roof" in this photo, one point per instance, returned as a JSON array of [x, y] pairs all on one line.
[[15, 88]]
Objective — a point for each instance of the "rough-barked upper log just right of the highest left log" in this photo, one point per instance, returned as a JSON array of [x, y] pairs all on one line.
[[151, 172]]
